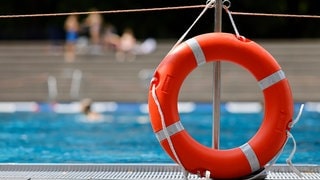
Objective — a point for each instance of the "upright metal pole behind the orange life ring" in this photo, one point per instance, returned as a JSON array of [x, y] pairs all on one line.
[[217, 82]]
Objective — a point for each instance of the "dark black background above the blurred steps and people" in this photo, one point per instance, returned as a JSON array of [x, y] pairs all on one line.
[[161, 24]]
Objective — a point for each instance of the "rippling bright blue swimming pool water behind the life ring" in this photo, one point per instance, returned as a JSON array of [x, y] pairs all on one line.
[[125, 134]]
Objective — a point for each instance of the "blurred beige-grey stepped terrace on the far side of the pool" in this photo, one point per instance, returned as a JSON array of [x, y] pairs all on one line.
[[25, 68]]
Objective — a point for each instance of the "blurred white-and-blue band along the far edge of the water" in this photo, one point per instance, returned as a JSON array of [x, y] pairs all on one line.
[[123, 107]]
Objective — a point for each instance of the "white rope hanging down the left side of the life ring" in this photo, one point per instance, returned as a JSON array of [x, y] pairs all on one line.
[[165, 130]]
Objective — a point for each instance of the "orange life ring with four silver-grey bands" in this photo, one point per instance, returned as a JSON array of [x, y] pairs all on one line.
[[195, 157]]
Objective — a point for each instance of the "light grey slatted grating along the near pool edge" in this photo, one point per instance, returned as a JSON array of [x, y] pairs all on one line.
[[130, 171]]
